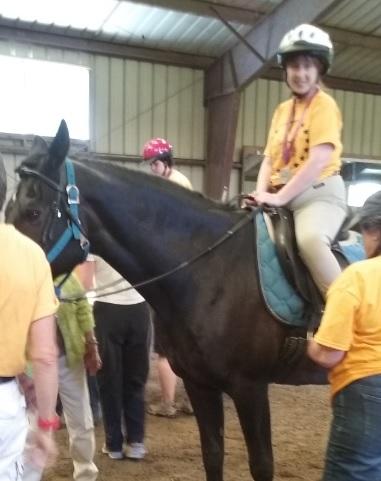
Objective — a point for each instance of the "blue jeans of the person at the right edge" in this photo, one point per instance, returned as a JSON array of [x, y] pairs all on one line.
[[354, 446]]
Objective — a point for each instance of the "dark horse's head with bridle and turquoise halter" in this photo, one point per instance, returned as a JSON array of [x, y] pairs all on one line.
[[40, 207]]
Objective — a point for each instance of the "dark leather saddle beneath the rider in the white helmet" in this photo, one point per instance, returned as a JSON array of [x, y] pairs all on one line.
[[295, 271]]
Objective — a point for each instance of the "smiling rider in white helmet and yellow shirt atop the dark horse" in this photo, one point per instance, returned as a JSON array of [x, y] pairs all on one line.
[[301, 162]]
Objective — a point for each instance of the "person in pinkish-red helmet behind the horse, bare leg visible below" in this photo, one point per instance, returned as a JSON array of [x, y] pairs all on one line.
[[159, 153]]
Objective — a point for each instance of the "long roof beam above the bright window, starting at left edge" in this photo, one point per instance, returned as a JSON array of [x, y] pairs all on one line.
[[65, 41]]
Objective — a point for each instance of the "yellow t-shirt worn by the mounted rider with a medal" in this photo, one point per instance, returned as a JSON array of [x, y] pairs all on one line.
[[321, 124]]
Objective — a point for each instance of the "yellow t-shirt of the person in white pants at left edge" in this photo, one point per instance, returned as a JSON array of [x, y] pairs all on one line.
[[26, 295]]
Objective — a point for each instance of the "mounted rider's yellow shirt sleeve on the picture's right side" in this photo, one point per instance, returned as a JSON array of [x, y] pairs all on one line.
[[326, 123]]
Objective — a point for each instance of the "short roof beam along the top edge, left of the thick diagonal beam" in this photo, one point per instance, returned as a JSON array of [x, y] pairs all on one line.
[[206, 9]]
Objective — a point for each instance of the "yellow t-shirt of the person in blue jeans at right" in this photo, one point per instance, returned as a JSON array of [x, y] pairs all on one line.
[[352, 323]]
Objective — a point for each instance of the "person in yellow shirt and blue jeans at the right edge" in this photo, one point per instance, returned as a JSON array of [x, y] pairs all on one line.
[[348, 342]]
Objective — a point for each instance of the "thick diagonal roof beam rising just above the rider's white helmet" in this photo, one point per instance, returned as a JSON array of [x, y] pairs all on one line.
[[240, 65]]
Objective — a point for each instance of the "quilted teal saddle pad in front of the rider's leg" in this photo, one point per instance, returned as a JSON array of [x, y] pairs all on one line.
[[280, 297]]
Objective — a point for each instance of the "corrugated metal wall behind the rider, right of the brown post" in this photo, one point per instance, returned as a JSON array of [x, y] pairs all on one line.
[[361, 117]]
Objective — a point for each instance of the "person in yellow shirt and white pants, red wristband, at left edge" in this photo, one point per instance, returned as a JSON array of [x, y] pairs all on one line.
[[27, 329]]
